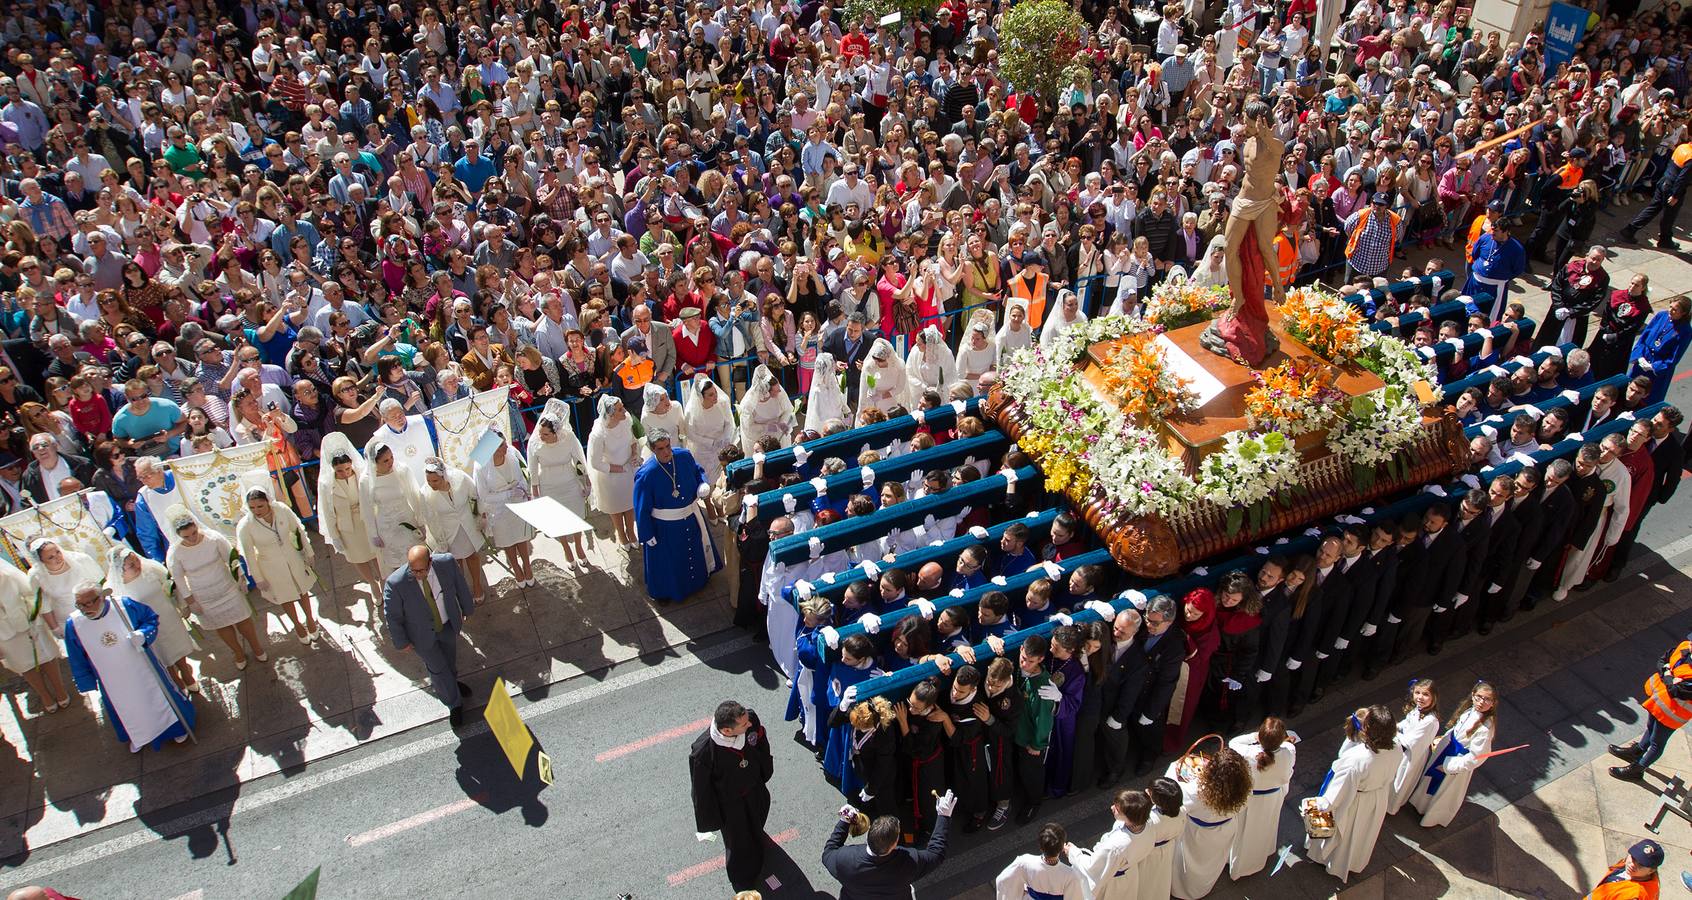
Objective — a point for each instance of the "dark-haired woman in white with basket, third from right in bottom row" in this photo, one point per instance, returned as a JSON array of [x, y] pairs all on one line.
[[1356, 791]]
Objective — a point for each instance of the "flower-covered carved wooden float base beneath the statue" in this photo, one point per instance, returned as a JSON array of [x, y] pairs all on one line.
[[1175, 453]]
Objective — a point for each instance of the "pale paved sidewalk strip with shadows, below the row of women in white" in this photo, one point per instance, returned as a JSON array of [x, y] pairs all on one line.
[[65, 776]]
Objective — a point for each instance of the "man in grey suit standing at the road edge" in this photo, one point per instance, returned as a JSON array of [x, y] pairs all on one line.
[[426, 603]]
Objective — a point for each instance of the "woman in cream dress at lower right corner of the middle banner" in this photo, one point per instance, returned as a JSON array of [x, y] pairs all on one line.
[[278, 554]]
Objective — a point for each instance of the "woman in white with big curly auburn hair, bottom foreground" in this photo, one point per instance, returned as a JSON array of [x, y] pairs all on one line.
[[1216, 798]]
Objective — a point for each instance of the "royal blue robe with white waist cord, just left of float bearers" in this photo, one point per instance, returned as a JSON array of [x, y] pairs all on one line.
[[667, 512]]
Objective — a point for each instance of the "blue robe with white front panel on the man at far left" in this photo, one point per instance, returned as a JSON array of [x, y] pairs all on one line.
[[121, 674]]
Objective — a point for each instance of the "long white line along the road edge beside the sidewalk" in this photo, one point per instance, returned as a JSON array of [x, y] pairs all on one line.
[[305, 784]]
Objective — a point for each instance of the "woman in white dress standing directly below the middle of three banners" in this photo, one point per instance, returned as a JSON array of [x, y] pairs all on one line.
[[207, 574]]
